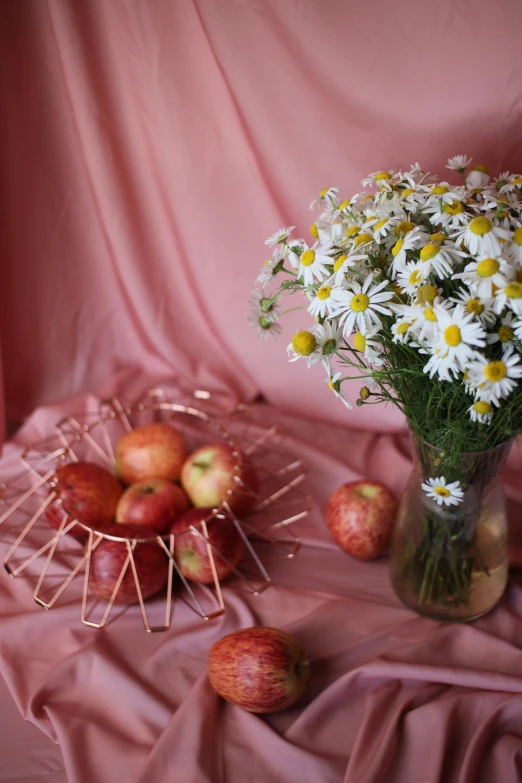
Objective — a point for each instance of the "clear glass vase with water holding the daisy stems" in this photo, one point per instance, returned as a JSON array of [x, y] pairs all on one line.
[[450, 562]]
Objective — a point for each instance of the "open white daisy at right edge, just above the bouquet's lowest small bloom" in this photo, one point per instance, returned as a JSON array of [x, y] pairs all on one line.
[[493, 381]]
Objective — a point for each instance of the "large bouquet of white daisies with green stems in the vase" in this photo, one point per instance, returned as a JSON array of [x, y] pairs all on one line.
[[414, 286]]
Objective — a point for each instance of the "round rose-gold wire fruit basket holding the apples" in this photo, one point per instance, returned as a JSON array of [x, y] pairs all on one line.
[[57, 562]]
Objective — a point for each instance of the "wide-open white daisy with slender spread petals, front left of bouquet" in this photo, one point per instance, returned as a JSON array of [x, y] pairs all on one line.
[[360, 305]]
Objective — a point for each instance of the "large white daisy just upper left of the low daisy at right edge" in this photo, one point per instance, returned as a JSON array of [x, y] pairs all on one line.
[[458, 336]]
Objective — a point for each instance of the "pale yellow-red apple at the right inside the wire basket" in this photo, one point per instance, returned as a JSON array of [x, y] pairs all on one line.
[[208, 479]]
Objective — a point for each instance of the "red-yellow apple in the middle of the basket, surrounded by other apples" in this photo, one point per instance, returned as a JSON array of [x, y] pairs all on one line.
[[155, 503]]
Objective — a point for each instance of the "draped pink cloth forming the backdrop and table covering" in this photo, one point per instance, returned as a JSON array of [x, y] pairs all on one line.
[[147, 148]]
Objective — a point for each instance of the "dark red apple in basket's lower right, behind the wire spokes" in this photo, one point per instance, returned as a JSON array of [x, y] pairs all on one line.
[[191, 550]]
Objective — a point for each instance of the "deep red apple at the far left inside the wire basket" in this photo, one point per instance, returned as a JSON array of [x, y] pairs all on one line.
[[88, 492]]
